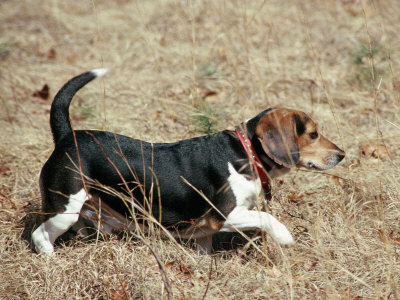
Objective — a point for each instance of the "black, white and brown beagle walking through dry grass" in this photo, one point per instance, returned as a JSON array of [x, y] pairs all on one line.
[[194, 188]]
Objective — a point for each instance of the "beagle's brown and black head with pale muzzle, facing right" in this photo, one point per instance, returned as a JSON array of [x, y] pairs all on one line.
[[290, 138]]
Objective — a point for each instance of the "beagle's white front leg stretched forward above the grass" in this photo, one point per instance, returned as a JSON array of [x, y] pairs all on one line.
[[243, 219]]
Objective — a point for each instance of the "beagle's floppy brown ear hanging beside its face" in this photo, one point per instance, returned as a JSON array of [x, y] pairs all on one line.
[[277, 133]]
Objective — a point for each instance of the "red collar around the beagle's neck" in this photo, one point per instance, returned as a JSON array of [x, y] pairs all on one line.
[[255, 160]]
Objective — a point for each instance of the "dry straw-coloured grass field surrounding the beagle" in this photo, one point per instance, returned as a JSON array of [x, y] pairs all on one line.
[[179, 68]]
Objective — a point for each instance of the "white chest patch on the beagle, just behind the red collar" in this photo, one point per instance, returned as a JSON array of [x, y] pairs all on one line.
[[245, 191]]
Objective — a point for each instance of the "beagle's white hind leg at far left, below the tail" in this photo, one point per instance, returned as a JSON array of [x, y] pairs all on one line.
[[45, 235]]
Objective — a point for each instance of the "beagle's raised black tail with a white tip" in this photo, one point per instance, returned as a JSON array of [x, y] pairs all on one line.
[[60, 123]]
